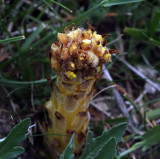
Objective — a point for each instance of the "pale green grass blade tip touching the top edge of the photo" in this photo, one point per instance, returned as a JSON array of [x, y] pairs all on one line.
[[110, 3]]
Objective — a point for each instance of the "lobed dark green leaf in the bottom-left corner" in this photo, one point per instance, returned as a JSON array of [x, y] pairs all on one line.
[[8, 147]]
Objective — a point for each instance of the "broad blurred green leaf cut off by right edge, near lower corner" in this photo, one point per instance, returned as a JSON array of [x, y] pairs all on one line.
[[151, 138]]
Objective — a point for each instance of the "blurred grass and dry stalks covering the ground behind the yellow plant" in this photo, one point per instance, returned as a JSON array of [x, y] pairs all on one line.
[[28, 28]]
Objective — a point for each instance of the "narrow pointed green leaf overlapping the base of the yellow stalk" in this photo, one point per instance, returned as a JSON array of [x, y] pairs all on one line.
[[68, 152]]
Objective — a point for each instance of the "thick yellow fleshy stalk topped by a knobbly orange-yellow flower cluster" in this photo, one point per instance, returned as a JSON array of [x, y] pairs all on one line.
[[77, 59]]
